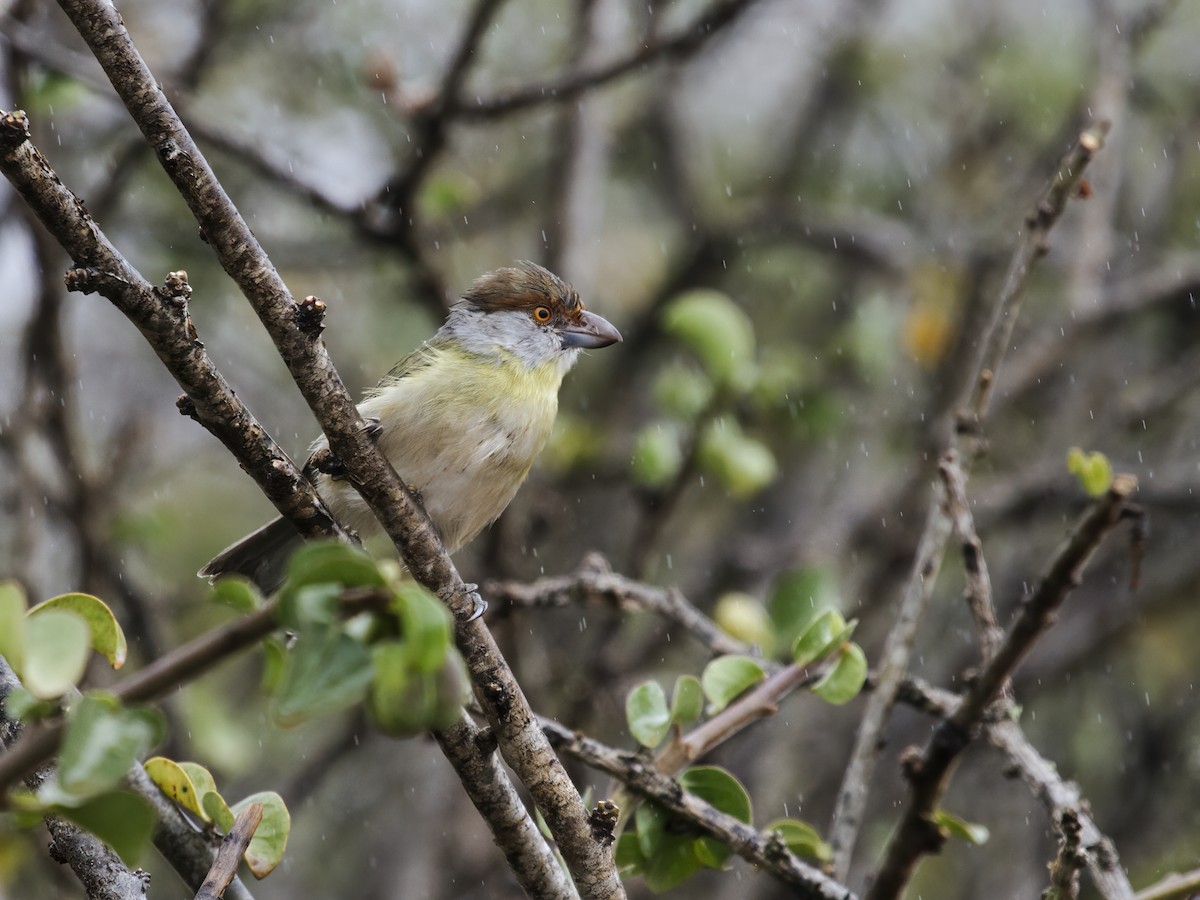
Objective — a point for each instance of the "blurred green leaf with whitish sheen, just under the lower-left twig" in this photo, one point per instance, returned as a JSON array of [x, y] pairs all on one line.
[[103, 742]]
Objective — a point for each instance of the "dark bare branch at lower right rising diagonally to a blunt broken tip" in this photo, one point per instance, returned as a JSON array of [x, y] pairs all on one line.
[[929, 772]]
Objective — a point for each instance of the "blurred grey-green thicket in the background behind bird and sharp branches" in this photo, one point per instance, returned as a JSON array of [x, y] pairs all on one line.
[[796, 217]]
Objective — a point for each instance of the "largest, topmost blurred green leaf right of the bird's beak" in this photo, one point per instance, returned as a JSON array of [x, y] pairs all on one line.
[[717, 331]]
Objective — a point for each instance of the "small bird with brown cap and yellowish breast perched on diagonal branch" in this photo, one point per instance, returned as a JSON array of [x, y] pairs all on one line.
[[463, 418]]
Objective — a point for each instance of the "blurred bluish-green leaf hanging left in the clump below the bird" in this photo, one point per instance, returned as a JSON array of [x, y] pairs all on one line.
[[326, 671]]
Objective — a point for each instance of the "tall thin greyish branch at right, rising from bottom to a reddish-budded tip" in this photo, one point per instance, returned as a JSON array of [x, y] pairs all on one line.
[[995, 343]]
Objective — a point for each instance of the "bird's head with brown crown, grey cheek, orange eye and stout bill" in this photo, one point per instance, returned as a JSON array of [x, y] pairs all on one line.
[[529, 314]]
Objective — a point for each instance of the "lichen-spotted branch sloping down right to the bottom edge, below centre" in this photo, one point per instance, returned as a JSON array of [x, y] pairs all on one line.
[[645, 779]]
